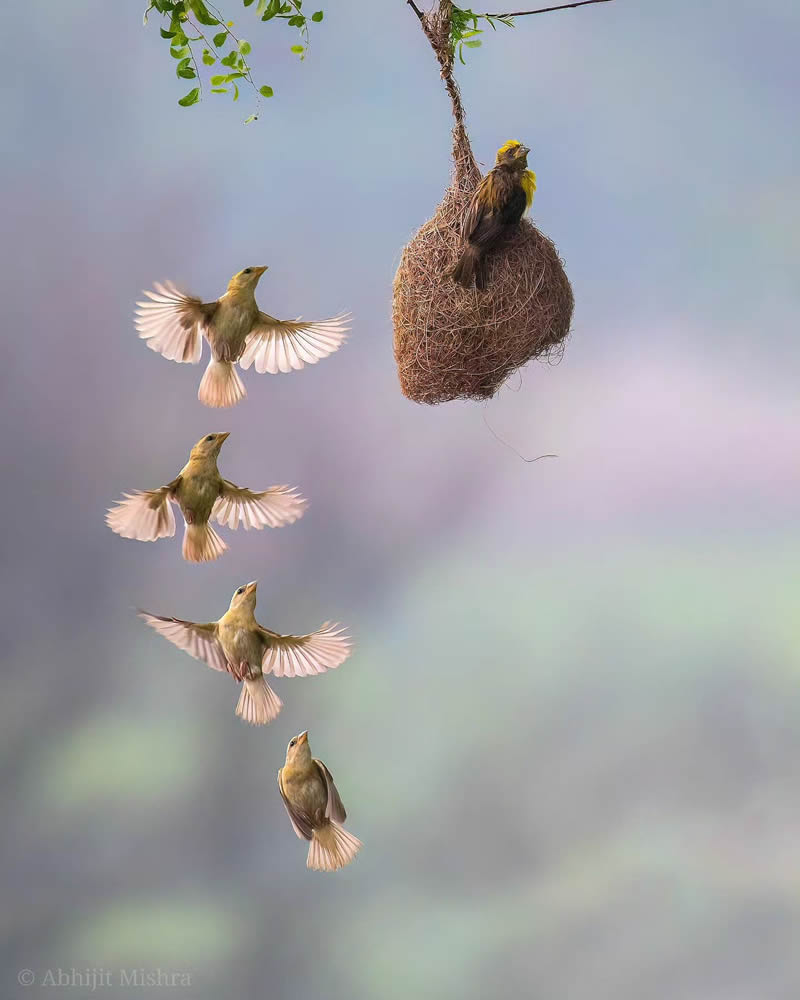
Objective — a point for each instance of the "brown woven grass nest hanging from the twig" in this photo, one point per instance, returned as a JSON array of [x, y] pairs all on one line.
[[457, 343]]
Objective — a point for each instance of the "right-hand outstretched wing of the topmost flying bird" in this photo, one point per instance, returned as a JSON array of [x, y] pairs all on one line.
[[275, 345]]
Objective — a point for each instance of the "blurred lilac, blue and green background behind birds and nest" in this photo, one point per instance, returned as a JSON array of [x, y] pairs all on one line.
[[570, 733]]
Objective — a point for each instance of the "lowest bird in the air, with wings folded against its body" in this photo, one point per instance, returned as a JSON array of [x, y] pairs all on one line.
[[315, 809]]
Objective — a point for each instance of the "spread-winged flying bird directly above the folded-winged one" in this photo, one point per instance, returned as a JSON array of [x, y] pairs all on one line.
[[238, 645]]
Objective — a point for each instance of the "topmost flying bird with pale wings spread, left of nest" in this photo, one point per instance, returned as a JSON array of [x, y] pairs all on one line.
[[237, 331]]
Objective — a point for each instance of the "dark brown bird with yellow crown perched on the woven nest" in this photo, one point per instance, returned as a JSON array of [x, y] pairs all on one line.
[[502, 198]]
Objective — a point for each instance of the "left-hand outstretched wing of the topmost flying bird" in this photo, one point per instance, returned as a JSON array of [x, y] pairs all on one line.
[[173, 323]]
